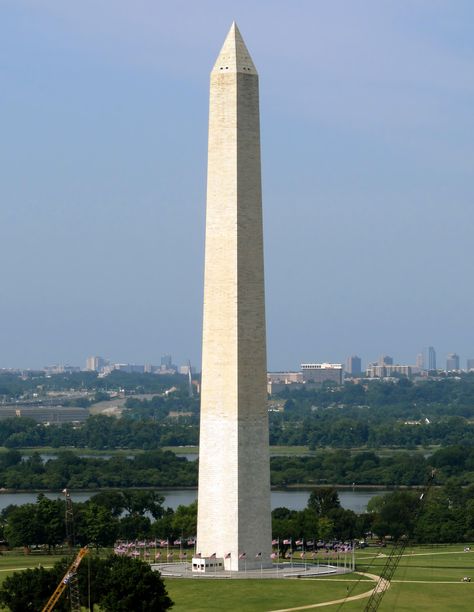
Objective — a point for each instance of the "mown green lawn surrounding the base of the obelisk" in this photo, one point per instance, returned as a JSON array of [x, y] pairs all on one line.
[[427, 578]]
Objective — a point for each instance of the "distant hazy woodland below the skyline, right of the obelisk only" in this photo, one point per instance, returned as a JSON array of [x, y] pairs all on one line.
[[377, 414]]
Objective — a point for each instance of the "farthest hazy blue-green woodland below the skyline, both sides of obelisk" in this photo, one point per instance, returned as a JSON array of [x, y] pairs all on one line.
[[432, 412]]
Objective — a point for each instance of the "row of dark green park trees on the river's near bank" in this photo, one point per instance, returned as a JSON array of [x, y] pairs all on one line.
[[446, 516]]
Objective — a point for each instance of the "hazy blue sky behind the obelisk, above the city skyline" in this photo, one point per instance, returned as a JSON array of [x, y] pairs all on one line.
[[368, 176]]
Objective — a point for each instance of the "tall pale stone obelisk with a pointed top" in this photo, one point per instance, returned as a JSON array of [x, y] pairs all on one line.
[[234, 520]]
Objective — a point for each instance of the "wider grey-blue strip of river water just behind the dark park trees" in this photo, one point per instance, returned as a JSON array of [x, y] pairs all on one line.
[[355, 500]]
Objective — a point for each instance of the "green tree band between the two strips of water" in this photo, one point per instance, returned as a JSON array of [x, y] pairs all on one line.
[[165, 469]]
